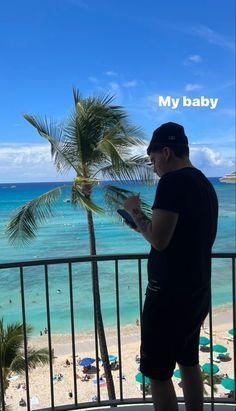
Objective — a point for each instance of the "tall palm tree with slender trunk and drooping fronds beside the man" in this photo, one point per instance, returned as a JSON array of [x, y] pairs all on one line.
[[96, 142]]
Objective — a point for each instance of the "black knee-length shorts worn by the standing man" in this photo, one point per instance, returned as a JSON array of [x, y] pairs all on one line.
[[170, 331]]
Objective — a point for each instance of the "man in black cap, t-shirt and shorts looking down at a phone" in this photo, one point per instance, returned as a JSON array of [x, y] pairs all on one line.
[[181, 233]]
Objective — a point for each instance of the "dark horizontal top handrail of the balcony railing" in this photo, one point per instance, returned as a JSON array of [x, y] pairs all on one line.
[[91, 258]]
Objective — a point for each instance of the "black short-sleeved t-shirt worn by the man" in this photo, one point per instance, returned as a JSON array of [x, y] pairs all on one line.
[[185, 264]]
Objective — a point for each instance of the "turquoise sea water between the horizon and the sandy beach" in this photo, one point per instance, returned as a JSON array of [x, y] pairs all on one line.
[[65, 235]]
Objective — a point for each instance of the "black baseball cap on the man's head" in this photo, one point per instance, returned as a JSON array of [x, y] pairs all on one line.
[[168, 134]]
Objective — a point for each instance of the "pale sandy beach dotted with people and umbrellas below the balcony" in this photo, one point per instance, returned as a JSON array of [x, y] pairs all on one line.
[[39, 380]]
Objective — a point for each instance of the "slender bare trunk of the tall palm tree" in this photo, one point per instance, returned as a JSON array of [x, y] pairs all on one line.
[[98, 313]]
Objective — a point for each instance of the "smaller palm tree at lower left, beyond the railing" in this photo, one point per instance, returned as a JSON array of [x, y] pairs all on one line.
[[12, 353]]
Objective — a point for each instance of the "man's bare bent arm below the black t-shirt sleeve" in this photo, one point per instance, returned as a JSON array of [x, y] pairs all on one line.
[[159, 230]]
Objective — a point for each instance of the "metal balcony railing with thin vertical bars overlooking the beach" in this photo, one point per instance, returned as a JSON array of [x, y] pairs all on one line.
[[70, 263]]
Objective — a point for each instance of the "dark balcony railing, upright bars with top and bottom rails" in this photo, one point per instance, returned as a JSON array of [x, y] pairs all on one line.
[[93, 260]]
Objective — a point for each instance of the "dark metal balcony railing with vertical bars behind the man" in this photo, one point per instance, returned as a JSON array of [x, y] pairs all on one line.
[[97, 258]]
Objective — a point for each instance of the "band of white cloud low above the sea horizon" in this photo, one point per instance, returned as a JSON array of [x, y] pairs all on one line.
[[33, 163]]
